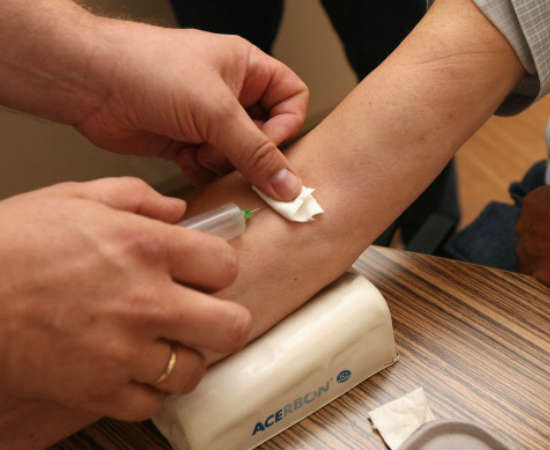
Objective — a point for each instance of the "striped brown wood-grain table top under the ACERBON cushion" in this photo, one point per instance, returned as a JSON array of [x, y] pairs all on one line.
[[476, 339]]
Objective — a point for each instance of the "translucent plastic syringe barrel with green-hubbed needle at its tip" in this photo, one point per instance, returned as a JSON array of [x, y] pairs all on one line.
[[227, 222]]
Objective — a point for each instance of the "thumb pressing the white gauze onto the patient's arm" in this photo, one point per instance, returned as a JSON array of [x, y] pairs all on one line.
[[254, 155]]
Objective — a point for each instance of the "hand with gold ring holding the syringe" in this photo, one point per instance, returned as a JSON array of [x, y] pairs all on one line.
[[94, 287]]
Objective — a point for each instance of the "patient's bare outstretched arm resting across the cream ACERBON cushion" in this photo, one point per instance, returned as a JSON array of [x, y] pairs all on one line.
[[368, 160]]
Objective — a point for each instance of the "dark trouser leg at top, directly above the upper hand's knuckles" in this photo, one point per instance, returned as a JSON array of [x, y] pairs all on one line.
[[256, 21]]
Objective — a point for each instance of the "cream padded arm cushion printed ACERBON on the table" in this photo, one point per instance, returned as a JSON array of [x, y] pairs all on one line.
[[335, 341]]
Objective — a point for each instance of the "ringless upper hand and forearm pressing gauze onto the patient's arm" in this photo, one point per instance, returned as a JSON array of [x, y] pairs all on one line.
[[183, 95]]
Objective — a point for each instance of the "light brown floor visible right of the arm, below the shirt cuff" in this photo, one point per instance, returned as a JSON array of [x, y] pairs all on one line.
[[500, 152]]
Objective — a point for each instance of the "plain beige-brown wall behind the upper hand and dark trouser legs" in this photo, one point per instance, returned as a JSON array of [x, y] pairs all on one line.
[[35, 153]]
